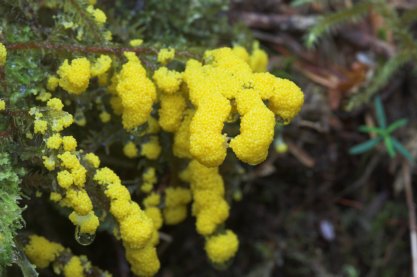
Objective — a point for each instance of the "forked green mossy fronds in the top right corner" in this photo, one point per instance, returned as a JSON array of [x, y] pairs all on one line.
[[398, 24]]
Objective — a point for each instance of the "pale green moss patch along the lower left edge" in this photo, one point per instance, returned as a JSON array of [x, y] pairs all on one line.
[[10, 213]]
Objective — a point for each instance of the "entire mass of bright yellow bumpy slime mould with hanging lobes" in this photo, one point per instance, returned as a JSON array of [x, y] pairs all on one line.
[[228, 85]]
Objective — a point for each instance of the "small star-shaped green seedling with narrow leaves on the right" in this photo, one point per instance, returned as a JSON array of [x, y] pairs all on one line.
[[384, 133]]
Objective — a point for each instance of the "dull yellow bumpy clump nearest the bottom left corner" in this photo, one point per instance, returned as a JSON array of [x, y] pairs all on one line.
[[42, 252]]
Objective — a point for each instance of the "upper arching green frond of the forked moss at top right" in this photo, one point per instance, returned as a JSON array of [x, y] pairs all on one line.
[[334, 20]]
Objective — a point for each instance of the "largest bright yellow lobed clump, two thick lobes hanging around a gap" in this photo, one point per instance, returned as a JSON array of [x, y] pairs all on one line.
[[226, 75]]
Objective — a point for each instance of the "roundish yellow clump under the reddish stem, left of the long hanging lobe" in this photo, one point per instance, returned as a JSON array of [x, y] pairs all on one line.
[[74, 77]]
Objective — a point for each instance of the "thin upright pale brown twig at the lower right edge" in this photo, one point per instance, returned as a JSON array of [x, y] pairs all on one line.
[[411, 213]]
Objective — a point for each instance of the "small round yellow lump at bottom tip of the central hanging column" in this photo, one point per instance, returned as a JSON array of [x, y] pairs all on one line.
[[221, 248]]
